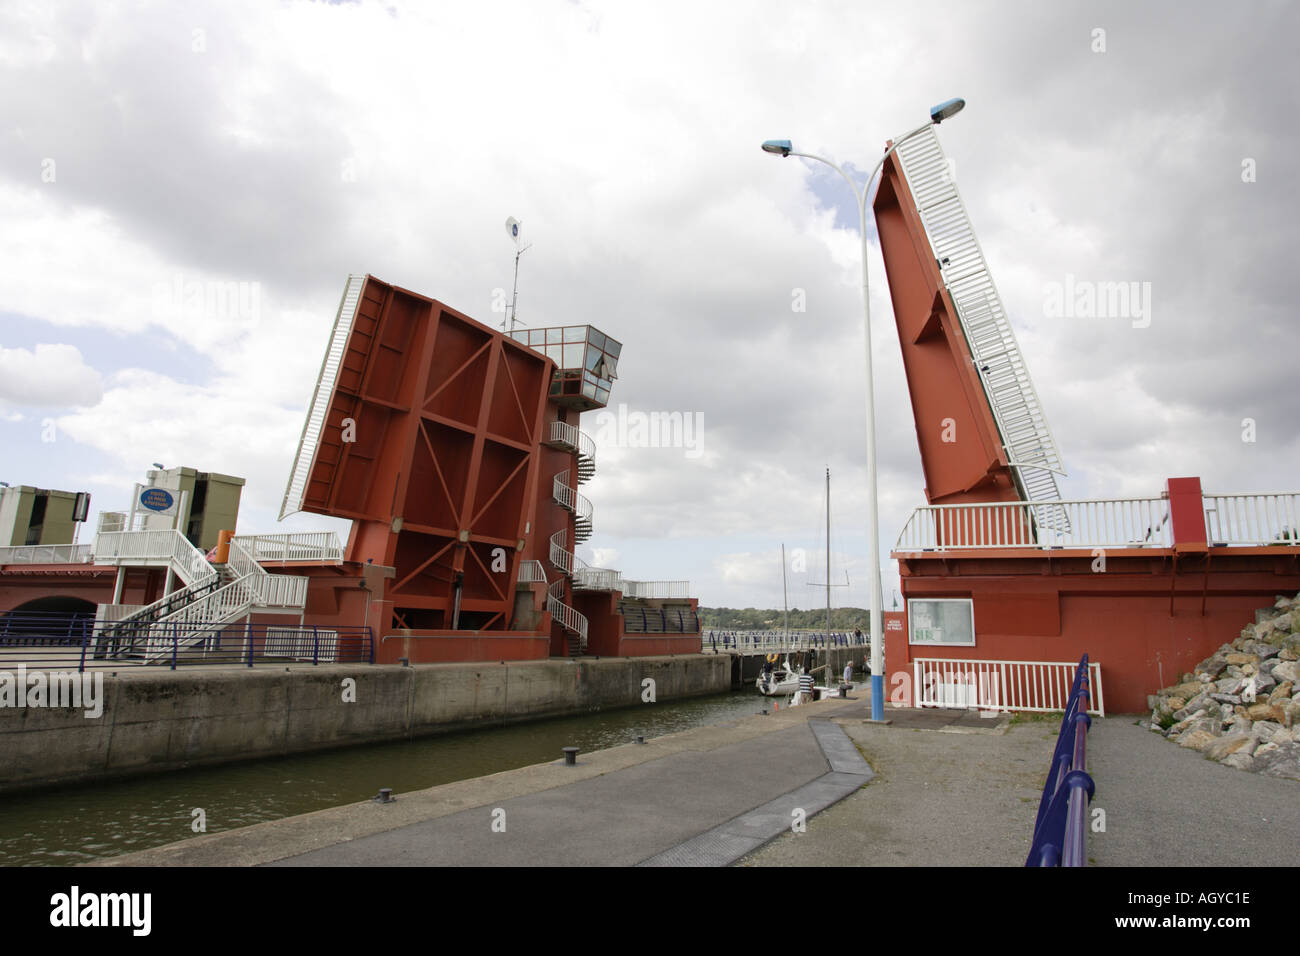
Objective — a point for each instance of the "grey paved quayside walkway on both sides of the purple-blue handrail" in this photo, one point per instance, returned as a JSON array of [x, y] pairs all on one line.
[[934, 789]]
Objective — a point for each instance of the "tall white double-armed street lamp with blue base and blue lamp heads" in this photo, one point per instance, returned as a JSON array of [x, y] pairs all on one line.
[[783, 148]]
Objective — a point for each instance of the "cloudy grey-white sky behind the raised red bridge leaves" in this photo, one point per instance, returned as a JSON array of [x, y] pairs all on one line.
[[149, 150]]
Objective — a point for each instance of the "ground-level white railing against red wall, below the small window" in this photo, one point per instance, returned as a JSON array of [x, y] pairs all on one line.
[[1002, 686]]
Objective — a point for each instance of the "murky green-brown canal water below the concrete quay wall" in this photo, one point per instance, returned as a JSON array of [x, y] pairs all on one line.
[[73, 825]]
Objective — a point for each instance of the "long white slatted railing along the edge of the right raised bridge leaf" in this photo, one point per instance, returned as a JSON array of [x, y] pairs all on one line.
[[1030, 448]]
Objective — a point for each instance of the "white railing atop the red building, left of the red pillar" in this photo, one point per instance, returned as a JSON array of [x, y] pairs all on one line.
[[1045, 525]]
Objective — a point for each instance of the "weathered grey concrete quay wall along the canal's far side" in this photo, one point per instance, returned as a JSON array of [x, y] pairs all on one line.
[[157, 721]]
